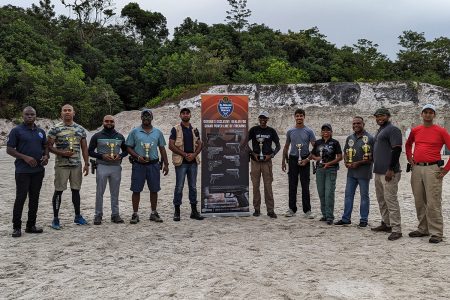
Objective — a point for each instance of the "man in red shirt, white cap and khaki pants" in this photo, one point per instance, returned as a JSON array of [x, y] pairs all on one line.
[[427, 174]]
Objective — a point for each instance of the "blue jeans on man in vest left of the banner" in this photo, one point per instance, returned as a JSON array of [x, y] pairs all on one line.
[[189, 171]]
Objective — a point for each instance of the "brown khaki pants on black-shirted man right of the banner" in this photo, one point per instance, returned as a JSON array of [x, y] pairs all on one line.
[[264, 168]]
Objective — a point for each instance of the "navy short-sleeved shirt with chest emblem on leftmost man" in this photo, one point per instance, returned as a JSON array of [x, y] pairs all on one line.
[[29, 141]]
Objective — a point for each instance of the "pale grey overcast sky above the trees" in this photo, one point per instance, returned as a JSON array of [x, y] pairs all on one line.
[[342, 21]]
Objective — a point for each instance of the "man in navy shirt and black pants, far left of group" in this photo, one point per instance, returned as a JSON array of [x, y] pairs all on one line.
[[28, 144]]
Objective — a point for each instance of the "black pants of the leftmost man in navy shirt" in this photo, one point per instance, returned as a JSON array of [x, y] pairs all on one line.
[[27, 184]]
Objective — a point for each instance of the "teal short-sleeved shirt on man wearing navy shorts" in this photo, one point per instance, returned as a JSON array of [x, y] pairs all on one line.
[[138, 138]]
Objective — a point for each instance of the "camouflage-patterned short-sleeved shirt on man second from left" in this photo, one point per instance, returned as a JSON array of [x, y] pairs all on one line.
[[68, 137]]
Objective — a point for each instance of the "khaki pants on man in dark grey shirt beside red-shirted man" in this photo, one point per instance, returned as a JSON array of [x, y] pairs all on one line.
[[386, 192]]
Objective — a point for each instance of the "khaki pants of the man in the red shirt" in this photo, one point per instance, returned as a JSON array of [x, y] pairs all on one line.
[[427, 190]]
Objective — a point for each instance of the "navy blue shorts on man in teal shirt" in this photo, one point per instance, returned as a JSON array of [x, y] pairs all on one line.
[[142, 172]]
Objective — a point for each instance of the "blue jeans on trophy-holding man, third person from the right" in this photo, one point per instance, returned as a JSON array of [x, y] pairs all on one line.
[[350, 189]]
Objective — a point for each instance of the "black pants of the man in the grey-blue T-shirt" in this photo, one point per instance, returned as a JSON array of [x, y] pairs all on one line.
[[294, 172]]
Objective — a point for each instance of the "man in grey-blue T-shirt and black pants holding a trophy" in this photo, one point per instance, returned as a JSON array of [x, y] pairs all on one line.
[[299, 138]]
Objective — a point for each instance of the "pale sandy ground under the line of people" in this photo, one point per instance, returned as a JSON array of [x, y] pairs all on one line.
[[246, 257]]
